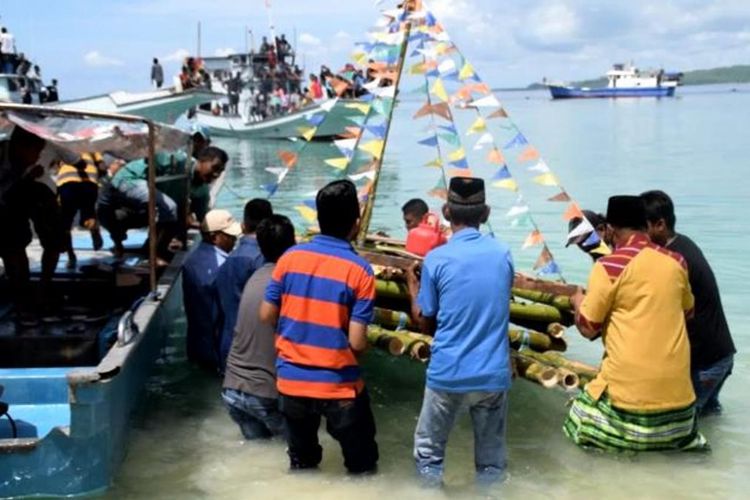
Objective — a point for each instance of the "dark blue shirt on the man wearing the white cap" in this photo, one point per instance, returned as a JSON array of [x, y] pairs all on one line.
[[201, 302]]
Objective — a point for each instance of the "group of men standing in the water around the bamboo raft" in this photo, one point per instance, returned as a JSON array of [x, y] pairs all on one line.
[[285, 323]]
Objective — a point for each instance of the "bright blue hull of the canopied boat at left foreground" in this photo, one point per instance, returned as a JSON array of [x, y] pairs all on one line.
[[96, 402]]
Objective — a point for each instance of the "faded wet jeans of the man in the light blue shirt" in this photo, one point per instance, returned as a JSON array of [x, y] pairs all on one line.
[[488, 412]]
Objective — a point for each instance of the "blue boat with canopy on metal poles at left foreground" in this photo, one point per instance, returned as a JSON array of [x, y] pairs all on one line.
[[70, 384]]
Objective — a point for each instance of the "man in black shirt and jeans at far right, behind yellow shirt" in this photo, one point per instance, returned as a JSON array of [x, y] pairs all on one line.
[[711, 346]]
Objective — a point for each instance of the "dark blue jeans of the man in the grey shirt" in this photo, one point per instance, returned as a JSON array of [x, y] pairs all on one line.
[[258, 417]]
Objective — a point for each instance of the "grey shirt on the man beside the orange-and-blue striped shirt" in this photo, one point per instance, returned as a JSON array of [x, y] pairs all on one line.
[[251, 363]]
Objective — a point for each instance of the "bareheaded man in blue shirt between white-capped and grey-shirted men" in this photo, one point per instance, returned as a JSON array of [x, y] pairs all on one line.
[[238, 268]]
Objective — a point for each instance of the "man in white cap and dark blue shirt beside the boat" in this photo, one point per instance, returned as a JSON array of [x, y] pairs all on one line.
[[220, 232]]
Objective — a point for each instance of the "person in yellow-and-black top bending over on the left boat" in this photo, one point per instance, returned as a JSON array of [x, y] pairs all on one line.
[[78, 190]]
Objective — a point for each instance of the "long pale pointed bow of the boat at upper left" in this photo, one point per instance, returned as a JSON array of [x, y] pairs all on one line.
[[163, 106]]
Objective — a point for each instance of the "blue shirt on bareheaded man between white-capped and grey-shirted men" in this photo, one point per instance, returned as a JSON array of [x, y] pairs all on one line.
[[230, 282]]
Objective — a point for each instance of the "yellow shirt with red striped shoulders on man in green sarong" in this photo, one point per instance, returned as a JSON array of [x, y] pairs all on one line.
[[639, 295]]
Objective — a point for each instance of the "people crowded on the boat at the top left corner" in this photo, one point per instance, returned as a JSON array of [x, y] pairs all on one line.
[[28, 81]]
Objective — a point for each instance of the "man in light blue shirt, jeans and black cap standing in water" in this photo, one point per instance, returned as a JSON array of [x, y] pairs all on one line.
[[462, 300]]
